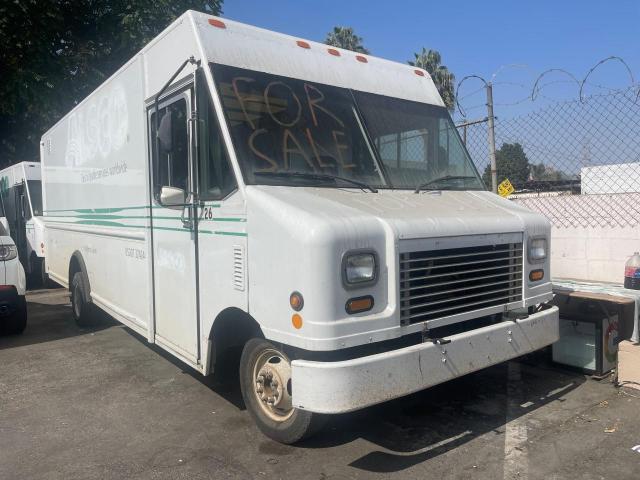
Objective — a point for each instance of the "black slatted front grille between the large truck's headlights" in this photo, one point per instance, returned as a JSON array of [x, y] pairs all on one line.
[[440, 283]]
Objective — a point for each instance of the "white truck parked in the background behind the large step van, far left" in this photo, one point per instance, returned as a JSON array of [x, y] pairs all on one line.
[[21, 195]]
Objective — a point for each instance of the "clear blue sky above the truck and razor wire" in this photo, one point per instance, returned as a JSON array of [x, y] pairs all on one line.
[[477, 37]]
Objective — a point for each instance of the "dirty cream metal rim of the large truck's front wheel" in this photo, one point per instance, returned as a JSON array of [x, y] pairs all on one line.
[[272, 384]]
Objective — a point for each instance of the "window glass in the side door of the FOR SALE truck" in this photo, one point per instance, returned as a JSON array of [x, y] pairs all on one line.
[[171, 165]]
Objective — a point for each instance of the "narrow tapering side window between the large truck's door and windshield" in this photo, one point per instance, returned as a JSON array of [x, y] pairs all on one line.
[[215, 174]]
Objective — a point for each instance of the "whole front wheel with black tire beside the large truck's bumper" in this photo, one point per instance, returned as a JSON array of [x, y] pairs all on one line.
[[279, 421]]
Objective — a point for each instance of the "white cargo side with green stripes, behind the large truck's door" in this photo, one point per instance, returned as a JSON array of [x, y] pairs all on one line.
[[95, 194]]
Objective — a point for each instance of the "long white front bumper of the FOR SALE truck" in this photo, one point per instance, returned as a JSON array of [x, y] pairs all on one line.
[[344, 386]]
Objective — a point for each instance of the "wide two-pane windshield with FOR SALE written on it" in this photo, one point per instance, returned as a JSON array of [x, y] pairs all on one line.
[[289, 131]]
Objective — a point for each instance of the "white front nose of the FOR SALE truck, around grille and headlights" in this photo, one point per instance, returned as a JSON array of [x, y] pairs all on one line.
[[293, 231]]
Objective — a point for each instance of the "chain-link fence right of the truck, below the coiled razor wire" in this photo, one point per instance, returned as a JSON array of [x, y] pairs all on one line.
[[577, 162]]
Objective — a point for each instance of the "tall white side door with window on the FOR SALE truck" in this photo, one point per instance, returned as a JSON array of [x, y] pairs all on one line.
[[173, 226]]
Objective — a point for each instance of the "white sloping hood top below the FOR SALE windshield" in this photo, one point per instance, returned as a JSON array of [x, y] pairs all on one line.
[[407, 214]]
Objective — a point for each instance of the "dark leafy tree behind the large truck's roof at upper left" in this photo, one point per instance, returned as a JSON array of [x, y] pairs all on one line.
[[56, 52]]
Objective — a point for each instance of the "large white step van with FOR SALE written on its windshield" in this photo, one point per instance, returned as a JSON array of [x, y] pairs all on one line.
[[232, 187]]
